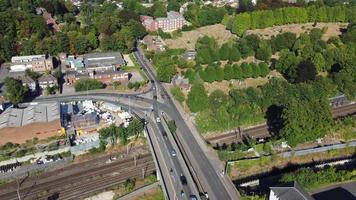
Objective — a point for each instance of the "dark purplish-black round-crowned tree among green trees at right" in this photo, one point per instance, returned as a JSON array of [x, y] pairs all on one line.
[[306, 71]]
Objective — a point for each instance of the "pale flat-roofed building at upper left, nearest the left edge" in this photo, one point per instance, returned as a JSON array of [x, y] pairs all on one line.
[[37, 63]]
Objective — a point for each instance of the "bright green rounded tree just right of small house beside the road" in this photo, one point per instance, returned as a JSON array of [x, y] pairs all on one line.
[[197, 98]]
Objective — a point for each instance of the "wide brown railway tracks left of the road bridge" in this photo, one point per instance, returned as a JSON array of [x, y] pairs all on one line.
[[101, 177]]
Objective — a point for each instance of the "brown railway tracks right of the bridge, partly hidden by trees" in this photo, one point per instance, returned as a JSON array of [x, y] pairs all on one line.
[[261, 131]]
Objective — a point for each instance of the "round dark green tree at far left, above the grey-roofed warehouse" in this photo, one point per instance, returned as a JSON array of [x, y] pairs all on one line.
[[15, 91]]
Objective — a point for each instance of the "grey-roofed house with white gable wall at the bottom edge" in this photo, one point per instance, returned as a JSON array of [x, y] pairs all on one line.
[[289, 191]]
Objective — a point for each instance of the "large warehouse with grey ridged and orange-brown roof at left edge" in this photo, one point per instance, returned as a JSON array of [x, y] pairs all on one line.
[[39, 120]]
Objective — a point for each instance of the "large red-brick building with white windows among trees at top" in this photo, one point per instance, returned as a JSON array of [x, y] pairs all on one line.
[[172, 22]]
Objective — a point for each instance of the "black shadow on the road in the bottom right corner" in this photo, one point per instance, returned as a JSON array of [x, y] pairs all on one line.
[[336, 193]]
